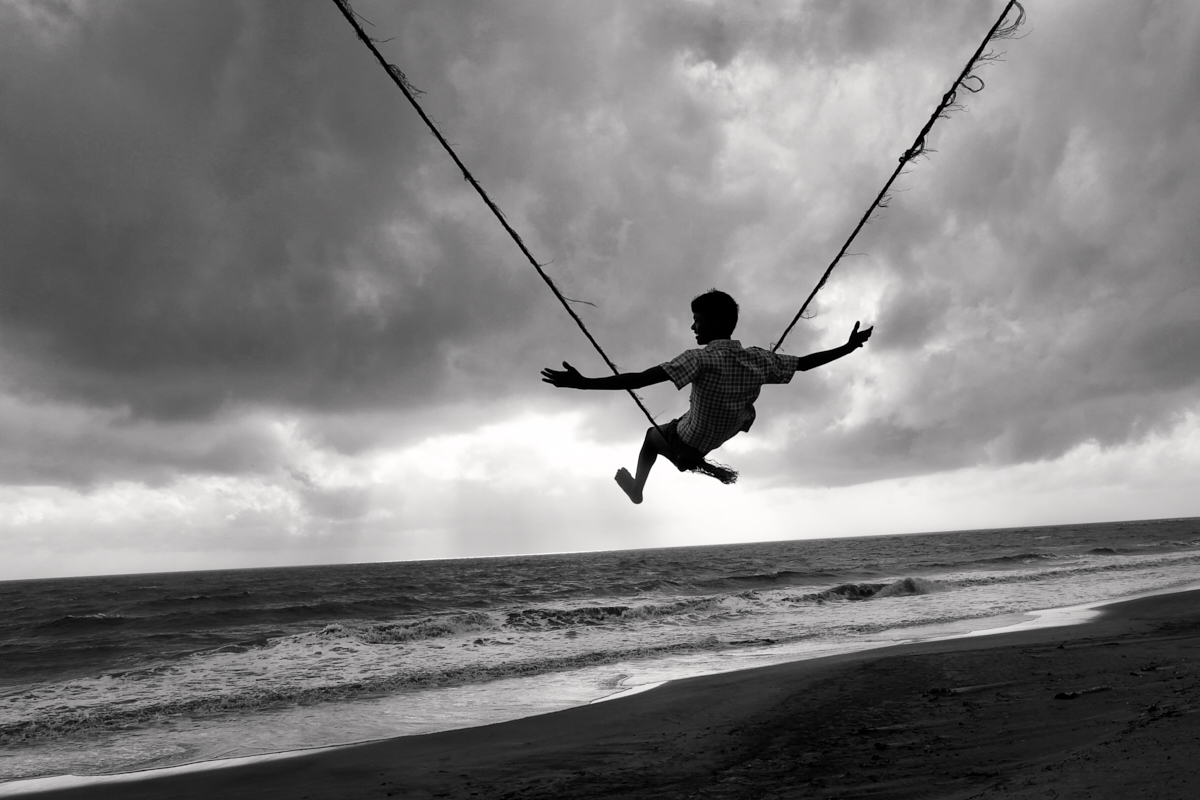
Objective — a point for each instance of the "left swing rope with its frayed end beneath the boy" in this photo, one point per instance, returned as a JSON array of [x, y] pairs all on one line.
[[721, 472]]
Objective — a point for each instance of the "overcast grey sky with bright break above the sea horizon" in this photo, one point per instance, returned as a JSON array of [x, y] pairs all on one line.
[[251, 315]]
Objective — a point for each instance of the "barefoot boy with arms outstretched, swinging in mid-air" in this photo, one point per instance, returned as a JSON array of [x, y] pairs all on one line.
[[725, 383]]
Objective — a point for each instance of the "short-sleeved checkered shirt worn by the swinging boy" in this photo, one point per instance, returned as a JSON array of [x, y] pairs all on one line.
[[725, 383]]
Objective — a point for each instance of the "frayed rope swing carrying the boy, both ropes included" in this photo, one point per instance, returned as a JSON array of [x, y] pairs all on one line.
[[723, 473]]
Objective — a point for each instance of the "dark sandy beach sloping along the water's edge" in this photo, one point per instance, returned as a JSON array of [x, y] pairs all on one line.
[[975, 718]]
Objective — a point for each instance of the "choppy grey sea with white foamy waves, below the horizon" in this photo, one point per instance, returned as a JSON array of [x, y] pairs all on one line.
[[123, 673]]
